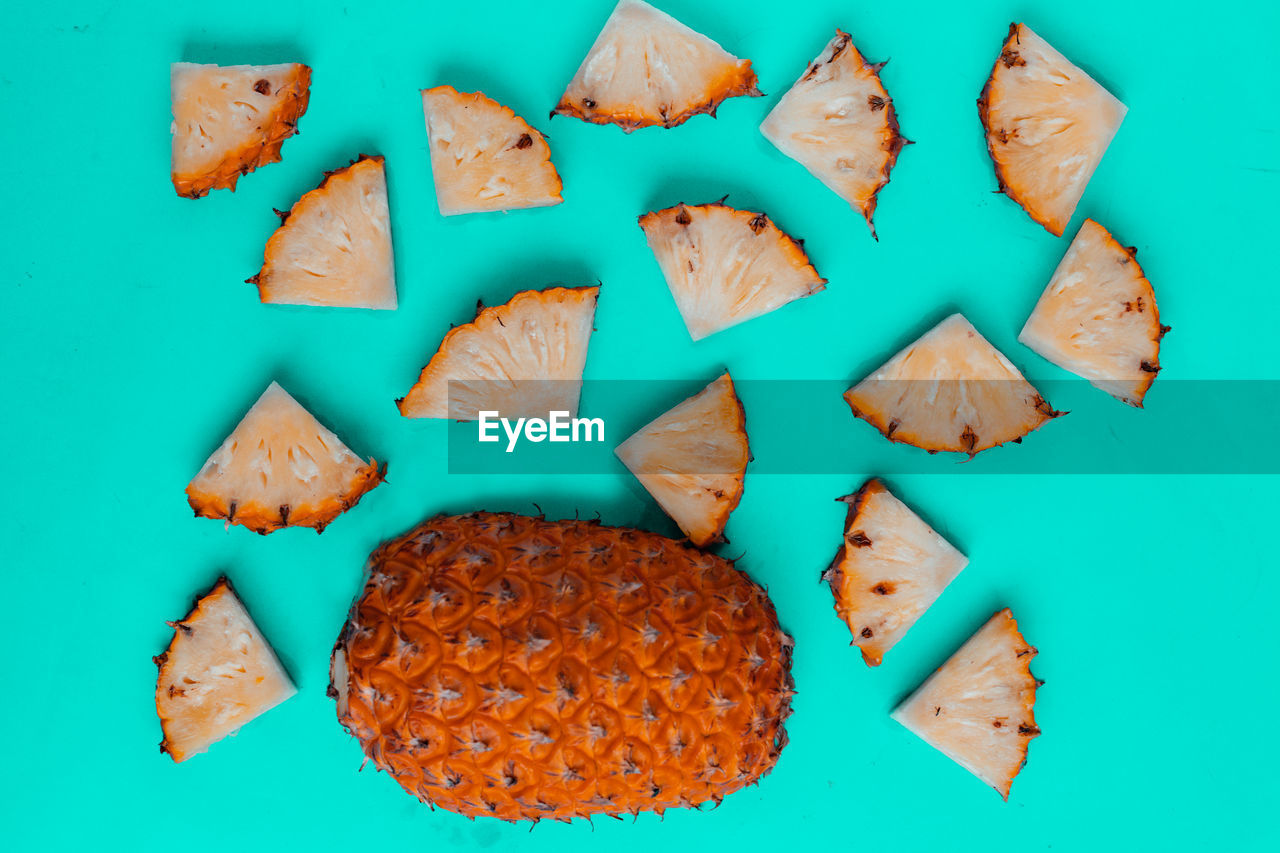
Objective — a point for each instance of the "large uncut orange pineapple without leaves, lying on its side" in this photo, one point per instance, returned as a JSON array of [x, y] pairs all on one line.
[[511, 667]]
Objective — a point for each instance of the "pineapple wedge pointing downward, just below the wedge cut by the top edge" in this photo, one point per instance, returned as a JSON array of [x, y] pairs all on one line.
[[726, 267]]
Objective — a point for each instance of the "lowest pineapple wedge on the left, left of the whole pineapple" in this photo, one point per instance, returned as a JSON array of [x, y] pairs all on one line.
[[218, 674]]
